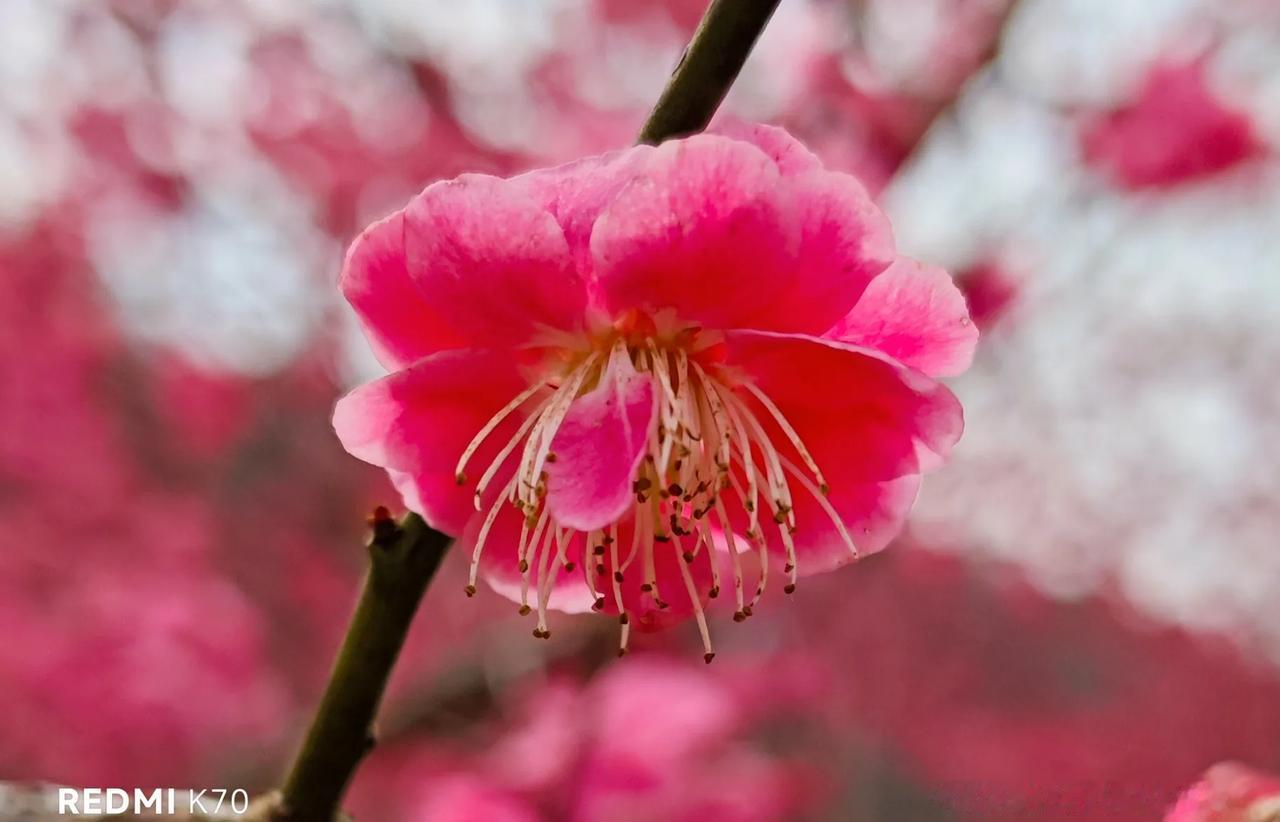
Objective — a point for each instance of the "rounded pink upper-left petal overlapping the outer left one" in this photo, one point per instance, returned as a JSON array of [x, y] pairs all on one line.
[[493, 262]]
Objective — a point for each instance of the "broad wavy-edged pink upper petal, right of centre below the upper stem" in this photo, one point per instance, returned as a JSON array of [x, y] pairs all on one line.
[[714, 230]]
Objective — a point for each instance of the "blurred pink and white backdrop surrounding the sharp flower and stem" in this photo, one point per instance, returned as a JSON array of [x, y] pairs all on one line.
[[1084, 615]]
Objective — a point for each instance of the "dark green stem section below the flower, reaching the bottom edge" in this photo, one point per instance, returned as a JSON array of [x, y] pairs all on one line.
[[404, 559]]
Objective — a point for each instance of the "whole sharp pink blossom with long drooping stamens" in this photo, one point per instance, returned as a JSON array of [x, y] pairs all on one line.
[[615, 377]]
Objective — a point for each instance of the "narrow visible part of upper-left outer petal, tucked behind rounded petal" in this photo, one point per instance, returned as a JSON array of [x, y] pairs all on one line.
[[397, 318]]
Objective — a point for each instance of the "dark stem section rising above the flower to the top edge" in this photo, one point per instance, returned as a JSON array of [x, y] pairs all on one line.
[[708, 68]]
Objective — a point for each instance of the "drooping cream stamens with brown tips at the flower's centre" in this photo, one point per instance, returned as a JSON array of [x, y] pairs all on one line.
[[707, 450]]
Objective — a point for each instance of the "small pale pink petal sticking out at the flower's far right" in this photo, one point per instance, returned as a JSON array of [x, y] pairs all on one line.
[[916, 314]]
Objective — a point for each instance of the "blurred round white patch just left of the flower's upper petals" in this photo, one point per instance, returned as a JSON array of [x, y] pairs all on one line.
[[230, 281]]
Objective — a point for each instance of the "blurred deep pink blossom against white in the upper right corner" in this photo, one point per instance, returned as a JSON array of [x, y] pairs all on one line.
[[1176, 130]]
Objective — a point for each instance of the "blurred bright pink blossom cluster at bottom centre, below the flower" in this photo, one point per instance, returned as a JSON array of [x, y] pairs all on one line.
[[655, 739]]
